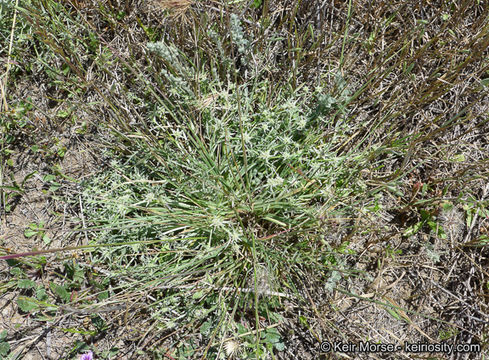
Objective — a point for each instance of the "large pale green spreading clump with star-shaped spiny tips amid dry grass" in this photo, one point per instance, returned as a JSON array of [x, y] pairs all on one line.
[[231, 186]]
